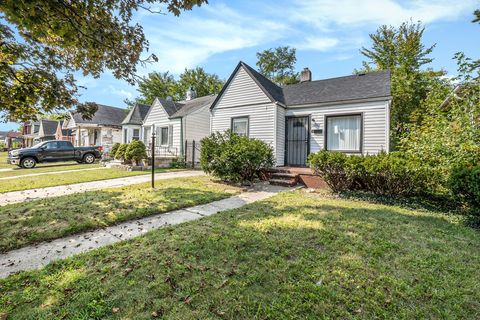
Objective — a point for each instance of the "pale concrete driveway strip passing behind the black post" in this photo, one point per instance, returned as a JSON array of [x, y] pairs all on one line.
[[41, 193]]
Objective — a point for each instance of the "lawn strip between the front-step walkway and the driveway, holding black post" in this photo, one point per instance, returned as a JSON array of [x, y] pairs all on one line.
[[50, 218]]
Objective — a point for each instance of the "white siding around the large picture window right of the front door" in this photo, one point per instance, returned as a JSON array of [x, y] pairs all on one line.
[[374, 123]]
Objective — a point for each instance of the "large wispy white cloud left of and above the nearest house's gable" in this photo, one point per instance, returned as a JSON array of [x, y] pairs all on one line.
[[214, 29]]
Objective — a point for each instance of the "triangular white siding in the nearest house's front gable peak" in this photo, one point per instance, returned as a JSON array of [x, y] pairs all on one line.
[[242, 90]]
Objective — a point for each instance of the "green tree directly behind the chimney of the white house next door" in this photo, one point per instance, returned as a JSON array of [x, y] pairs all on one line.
[[204, 83]]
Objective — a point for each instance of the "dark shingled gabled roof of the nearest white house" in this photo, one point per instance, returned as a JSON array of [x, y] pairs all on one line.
[[348, 88]]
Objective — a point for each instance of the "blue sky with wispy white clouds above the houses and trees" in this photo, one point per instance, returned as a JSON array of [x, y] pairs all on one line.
[[327, 34]]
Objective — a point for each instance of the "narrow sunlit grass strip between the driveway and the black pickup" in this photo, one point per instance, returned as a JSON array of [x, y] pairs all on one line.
[[44, 181]]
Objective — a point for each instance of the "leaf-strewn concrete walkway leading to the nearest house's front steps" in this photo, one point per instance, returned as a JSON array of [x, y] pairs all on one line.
[[33, 257]]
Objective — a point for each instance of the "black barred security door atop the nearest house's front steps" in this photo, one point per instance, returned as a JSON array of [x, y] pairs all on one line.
[[297, 141]]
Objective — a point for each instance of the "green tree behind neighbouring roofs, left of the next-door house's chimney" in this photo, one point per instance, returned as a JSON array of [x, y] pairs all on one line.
[[156, 84]]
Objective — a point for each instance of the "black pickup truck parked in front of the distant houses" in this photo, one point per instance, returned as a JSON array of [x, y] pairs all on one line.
[[53, 151]]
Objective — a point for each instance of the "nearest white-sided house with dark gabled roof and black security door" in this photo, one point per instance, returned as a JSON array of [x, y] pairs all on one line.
[[348, 114]]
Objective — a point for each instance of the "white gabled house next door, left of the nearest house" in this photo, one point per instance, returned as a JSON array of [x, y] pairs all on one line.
[[176, 123]]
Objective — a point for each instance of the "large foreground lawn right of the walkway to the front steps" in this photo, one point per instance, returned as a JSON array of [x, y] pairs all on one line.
[[294, 256]]
